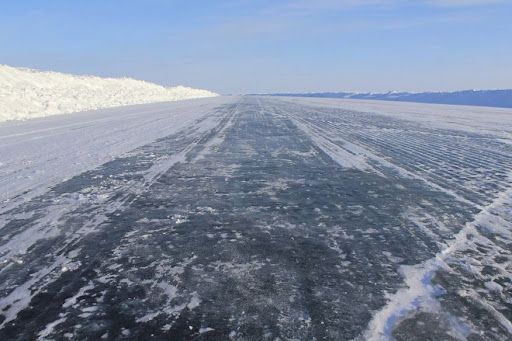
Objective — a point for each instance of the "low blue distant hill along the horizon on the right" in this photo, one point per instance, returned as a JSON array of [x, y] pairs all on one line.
[[489, 98]]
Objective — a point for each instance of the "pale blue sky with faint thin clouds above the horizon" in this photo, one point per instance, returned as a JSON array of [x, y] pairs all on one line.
[[242, 46]]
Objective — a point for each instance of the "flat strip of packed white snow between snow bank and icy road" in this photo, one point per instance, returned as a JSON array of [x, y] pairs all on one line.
[[38, 153]]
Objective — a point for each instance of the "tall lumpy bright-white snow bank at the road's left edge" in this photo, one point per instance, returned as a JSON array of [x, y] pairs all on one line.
[[26, 93]]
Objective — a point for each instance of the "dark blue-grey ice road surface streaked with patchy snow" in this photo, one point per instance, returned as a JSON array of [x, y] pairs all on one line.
[[270, 219]]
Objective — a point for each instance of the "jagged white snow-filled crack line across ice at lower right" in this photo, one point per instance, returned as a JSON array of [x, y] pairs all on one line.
[[420, 293]]
